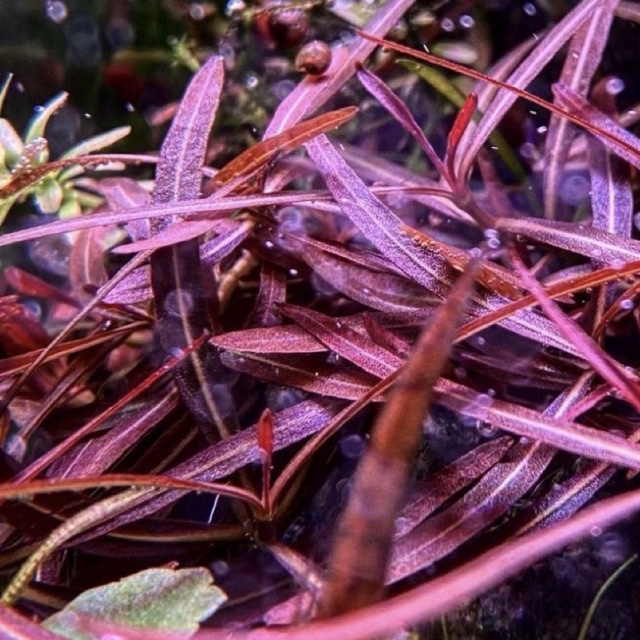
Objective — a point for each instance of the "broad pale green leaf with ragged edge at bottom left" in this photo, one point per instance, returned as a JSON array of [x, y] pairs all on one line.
[[169, 600]]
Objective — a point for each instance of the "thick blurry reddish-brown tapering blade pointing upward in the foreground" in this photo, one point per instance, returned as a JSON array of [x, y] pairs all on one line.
[[360, 554]]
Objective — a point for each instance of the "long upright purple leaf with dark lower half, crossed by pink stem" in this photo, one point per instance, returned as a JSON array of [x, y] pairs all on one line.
[[175, 270]]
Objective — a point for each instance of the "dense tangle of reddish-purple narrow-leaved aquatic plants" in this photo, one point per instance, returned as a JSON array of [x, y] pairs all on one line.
[[272, 306]]
